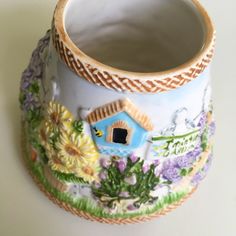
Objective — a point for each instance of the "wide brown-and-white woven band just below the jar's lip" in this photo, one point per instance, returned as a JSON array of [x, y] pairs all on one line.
[[115, 82]]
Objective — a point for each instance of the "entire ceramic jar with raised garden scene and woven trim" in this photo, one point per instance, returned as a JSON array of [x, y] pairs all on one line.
[[116, 155]]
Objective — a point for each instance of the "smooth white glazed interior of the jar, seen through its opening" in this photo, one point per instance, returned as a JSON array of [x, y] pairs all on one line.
[[136, 35]]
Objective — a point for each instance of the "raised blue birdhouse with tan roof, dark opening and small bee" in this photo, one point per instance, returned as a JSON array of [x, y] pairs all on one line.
[[119, 127]]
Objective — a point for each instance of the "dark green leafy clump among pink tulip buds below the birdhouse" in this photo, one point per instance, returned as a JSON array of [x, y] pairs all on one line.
[[111, 189]]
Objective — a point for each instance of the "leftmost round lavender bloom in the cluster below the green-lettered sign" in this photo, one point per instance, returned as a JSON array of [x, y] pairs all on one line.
[[170, 172]]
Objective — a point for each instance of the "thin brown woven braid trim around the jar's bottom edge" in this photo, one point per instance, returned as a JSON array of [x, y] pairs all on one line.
[[87, 216]]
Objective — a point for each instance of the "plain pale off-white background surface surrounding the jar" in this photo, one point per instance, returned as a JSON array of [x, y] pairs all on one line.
[[24, 211]]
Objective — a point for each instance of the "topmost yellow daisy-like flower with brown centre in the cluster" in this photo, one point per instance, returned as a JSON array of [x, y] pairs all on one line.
[[58, 117]]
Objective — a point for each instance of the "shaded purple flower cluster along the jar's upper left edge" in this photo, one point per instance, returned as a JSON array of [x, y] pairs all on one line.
[[29, 96]]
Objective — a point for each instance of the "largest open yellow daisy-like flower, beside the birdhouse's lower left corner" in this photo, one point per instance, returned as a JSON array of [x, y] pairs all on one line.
[[74, 149]]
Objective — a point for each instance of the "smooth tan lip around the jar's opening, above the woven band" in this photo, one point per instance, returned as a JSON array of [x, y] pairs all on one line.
[[208, 46]]
